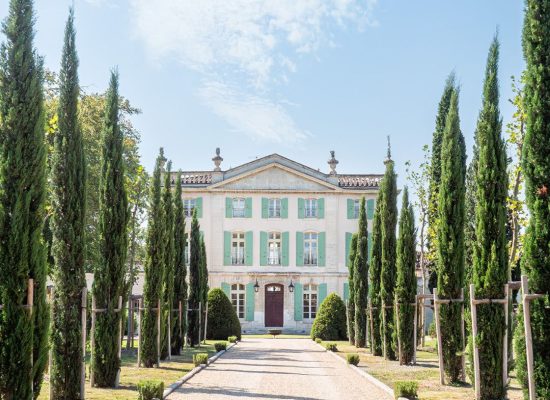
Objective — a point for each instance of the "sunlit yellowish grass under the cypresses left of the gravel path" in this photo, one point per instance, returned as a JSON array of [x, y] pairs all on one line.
[[169, 372]]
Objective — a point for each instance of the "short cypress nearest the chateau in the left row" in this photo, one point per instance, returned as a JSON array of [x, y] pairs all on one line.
[[194, 281]]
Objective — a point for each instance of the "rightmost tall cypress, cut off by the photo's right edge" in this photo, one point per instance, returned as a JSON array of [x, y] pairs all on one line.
[[536, 164]]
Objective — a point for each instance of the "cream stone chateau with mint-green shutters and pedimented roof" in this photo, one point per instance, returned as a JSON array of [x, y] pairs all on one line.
[[277, 235]]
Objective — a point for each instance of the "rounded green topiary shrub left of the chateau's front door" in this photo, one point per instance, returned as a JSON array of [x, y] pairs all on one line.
[[222, 319]]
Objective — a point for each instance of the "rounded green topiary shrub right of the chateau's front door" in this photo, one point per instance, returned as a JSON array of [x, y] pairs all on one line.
[[330, 323]]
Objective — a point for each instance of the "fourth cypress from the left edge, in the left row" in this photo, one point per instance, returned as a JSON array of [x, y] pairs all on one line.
[[154, 262]]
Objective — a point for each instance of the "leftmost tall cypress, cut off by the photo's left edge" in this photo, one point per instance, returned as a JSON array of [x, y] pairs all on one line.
[[22, 178]]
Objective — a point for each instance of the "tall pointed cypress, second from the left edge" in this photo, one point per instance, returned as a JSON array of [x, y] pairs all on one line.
[[69, 210]]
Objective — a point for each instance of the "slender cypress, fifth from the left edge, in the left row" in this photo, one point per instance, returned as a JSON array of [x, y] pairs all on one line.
[[169, 261]]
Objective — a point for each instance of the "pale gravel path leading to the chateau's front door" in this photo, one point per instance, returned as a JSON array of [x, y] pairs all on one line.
[[278, 369]]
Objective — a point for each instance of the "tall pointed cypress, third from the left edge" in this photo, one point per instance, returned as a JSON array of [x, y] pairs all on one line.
[[113, 220]]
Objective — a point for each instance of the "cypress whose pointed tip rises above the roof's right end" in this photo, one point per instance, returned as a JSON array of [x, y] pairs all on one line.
[[388, 273]]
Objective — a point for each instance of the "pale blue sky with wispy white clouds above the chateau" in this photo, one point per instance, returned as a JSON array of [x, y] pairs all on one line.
[[294, 77]]
